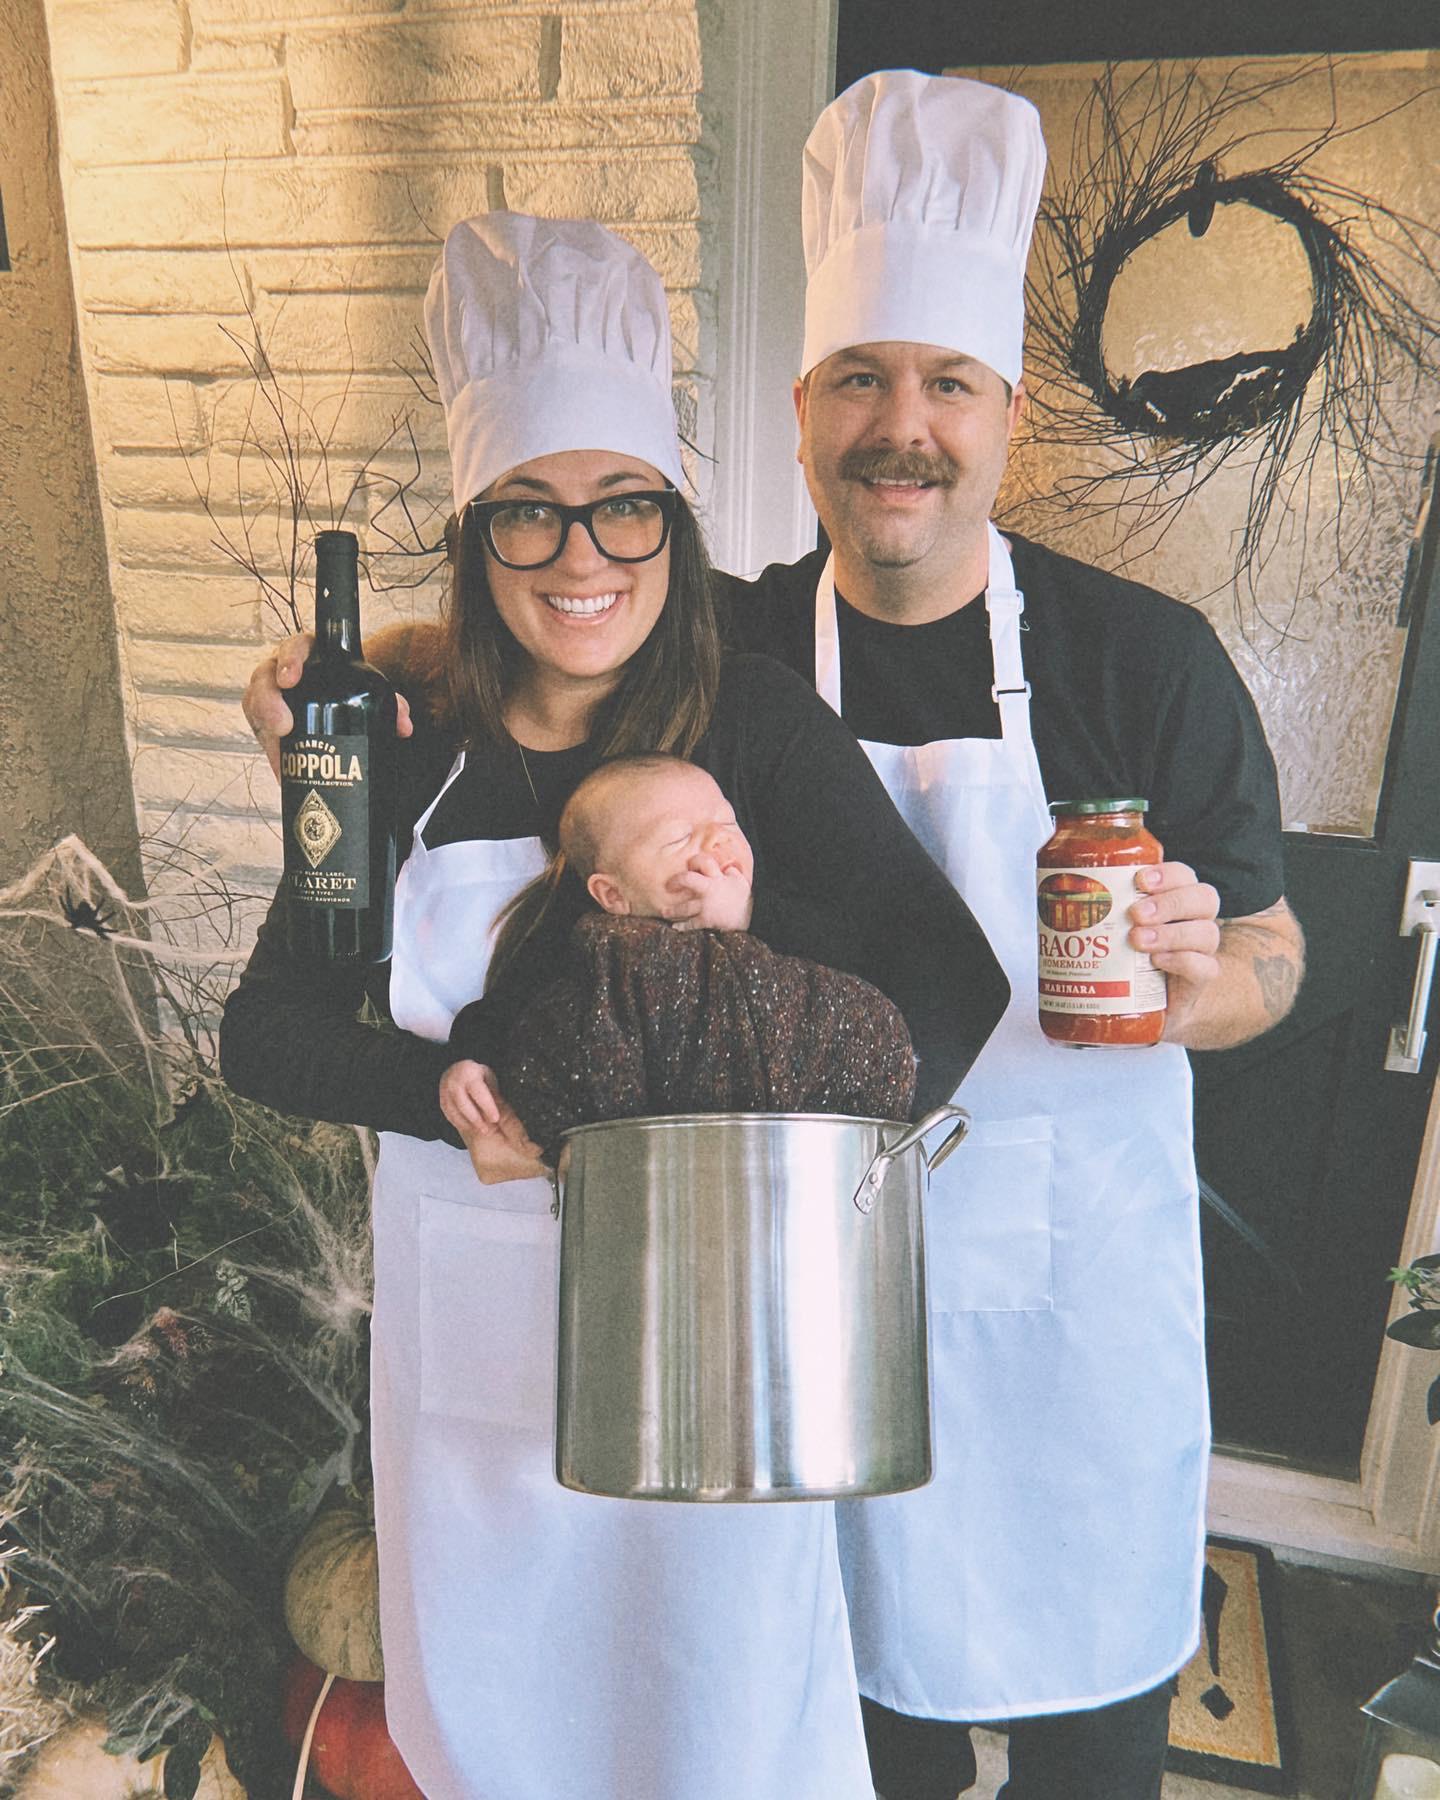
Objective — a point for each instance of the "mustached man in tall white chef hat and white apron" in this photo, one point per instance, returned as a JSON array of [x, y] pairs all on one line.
[[1050, 1576]]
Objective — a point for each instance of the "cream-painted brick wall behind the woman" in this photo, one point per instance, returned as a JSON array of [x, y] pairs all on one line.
[[282, 172]]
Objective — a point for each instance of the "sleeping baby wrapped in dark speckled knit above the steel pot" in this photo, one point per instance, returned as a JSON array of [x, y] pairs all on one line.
[[667, 1003]]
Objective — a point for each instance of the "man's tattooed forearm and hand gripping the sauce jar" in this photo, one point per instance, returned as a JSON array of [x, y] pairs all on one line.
[[1228, 980]]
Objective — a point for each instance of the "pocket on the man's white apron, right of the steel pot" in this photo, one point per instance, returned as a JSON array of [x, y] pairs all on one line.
[[987, 1221]]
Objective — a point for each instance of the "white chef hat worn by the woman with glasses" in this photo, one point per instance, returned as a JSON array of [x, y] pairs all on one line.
[[548, 336]]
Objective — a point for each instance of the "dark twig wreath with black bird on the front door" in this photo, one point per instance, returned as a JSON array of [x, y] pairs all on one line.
[[1160, 147]]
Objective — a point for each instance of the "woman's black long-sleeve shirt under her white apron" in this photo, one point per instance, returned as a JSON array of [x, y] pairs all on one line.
[[840, 879]]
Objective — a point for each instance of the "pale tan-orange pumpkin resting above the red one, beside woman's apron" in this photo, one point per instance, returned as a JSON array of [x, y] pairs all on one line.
[[332, 1596]]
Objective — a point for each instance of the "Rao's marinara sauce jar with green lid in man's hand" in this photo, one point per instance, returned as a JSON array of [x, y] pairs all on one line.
[[1095, 991]]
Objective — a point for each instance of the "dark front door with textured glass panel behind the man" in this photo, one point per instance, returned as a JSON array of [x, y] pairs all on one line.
[[1311, 1149]]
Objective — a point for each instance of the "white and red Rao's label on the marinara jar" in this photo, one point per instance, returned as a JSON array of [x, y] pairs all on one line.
[[1086, 960]]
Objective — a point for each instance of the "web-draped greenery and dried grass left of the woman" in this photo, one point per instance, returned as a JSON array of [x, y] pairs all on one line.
[[184, 1311]]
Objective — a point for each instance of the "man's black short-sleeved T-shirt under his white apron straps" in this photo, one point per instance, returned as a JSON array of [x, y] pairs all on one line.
[[1133, 694]]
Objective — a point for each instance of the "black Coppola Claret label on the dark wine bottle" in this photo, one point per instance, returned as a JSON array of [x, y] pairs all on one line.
[[325, 805]]
